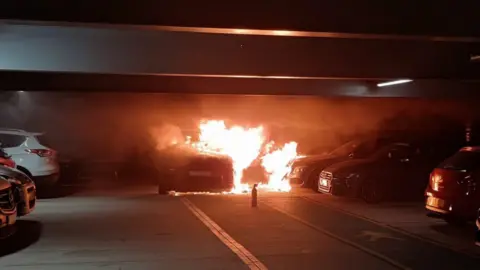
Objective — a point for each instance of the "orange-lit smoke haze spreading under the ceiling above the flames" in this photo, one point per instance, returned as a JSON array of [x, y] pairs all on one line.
[[112, 125]]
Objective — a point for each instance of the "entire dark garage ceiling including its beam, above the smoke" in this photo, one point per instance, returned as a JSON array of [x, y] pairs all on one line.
[[429, 42]]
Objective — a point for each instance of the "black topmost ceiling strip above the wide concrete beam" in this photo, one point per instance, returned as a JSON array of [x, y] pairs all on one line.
[[433, 18]]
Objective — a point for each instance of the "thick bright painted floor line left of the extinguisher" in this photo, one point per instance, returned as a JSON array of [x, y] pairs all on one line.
[[248, 258]]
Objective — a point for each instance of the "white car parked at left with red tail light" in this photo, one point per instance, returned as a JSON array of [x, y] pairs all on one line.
[[31, 156]]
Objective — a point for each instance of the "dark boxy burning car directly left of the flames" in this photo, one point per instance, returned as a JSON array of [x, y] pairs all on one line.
[[184, 169]]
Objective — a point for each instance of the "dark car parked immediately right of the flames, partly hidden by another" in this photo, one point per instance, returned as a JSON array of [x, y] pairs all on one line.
[[306, 170]]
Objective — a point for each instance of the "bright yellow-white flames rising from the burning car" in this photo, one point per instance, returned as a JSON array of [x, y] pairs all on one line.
[[243, 146]]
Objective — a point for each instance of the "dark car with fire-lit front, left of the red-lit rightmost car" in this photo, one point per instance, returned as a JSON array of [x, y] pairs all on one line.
[[396, 171]]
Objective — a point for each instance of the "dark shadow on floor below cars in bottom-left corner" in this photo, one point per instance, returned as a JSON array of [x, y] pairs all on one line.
[[27, 232]]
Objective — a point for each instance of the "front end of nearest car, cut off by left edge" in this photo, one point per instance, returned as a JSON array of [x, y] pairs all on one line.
[[8, 209]]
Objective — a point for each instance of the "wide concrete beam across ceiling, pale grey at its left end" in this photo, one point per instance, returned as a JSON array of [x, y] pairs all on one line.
[[123, 50]]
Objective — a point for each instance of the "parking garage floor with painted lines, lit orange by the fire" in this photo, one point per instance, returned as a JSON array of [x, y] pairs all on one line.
[[138, 229]]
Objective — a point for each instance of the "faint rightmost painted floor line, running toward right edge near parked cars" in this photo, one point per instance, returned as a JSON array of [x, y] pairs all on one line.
[[396, 229]]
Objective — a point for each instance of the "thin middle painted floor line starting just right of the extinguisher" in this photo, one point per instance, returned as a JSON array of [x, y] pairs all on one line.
[[341, 239]]
